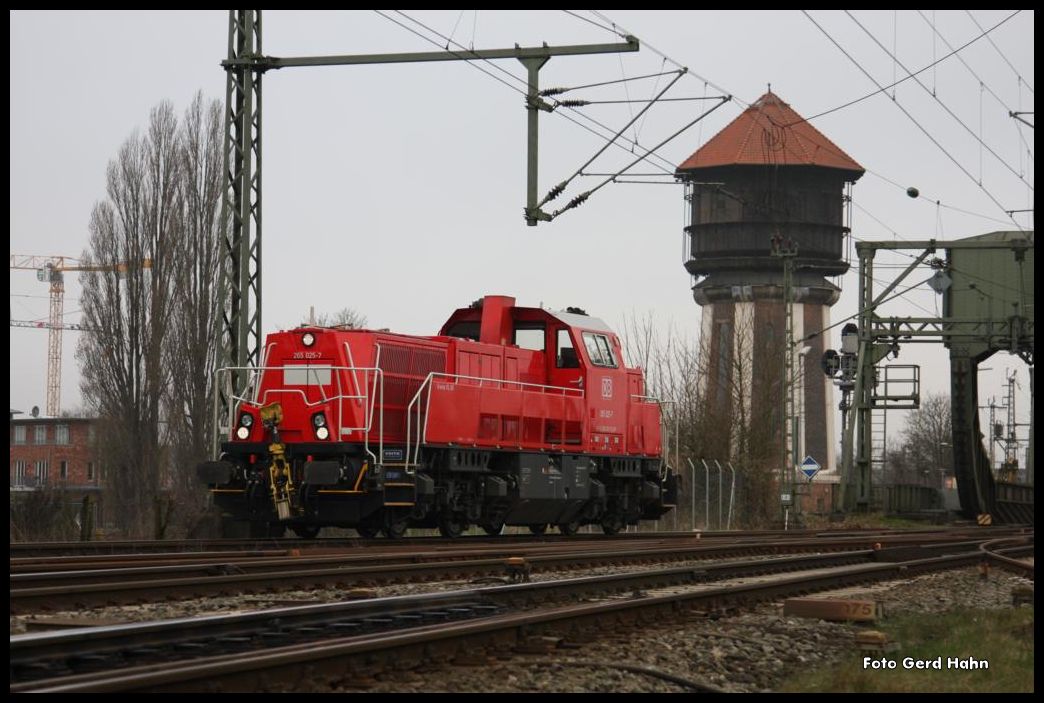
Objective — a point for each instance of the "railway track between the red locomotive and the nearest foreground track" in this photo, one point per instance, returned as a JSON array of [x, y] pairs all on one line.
[[77, 589]]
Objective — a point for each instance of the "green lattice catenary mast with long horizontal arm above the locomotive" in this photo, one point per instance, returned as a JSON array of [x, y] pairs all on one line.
[[241, 275]]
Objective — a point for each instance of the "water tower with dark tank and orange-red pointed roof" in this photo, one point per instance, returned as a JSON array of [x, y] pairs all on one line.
[[769, 176]]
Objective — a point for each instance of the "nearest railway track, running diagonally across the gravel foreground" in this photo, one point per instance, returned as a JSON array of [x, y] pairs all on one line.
[[312, 650]]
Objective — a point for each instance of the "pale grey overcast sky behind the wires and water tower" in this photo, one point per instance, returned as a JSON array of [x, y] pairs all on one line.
[[398, 191]]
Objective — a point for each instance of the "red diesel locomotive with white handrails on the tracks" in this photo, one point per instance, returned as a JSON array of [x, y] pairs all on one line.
[[510, 416]]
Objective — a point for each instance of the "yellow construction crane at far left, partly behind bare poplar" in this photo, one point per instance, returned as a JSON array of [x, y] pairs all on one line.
[[52, 270]]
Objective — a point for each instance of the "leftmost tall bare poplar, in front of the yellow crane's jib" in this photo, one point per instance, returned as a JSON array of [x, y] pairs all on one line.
[[129, 302]]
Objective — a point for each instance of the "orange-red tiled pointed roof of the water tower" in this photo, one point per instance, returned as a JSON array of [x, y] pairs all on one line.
[[771, 133]]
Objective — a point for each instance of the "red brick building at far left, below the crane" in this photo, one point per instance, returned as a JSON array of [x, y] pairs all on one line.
[[56, 453]]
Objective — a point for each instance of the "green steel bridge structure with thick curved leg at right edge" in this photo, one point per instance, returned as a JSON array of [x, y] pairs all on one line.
[[978, 275]]
